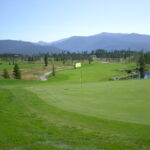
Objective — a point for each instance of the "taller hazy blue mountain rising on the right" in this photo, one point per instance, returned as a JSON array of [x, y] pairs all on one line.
[[108, 41]]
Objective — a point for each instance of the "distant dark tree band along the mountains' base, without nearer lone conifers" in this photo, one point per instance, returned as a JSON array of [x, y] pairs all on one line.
[[73, 56]]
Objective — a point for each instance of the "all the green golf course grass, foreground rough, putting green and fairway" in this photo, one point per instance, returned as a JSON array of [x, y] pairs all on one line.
[[77, 109]]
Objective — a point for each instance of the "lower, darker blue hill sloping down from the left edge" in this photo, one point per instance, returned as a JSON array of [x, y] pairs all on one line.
[[21, 47]]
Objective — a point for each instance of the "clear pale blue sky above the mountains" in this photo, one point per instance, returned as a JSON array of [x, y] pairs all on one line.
[[50, 20]]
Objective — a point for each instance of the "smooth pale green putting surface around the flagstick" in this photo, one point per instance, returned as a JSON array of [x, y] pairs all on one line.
[[122, 100]]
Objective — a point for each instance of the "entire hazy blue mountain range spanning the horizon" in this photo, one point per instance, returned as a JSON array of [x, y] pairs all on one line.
[[107, 41]]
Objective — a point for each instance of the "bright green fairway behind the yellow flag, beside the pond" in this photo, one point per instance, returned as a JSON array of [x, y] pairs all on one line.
[[91, 73]]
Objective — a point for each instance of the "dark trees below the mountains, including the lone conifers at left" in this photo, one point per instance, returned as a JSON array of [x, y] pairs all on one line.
[[139, 57]]
